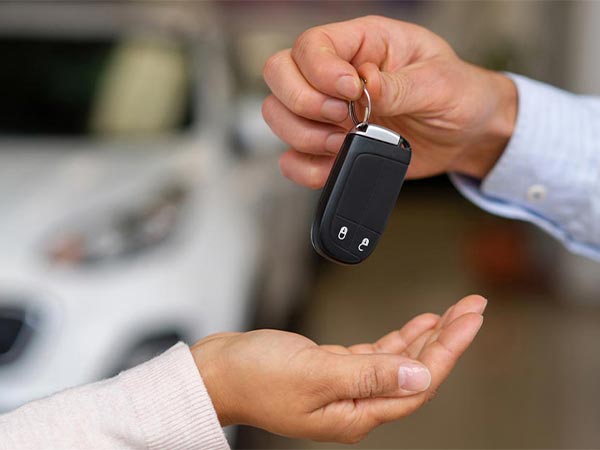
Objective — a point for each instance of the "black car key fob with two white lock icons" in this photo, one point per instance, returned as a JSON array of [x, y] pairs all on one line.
[[360, 194]]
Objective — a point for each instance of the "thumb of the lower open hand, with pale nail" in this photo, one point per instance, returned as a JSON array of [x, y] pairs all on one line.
[[375, 375]]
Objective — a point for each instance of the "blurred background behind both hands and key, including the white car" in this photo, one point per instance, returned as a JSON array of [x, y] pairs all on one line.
[[141, 204]]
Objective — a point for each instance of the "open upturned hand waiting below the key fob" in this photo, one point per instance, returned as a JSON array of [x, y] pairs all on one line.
[[287, 384]]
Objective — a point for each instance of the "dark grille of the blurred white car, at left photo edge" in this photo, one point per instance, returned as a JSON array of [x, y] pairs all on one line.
[[15, 333]]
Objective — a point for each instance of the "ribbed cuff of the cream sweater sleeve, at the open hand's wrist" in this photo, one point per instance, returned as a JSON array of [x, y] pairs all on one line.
[[172, 405]]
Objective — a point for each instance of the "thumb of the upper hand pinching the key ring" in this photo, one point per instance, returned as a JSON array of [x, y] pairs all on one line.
[[405, 91]]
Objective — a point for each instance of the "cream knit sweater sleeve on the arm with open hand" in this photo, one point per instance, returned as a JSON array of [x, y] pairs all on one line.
[[159, 405]]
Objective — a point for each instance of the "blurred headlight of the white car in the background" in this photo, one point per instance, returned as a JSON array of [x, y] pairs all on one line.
[[123, 234]]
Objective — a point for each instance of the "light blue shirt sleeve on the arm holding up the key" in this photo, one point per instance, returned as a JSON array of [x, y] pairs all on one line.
[[549, 174]]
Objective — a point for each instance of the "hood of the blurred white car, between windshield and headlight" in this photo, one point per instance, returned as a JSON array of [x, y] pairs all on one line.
[[44, 185]]
